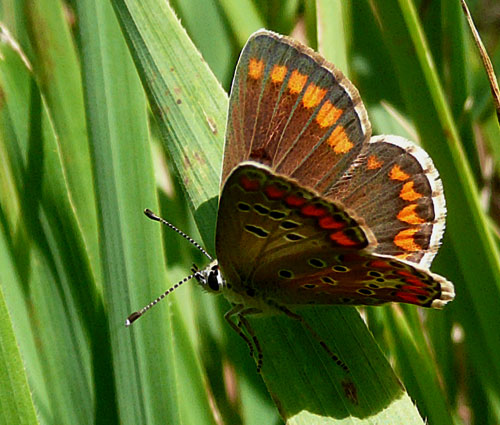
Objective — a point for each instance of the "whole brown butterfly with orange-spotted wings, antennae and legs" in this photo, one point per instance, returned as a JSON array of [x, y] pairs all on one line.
[[313, 209]]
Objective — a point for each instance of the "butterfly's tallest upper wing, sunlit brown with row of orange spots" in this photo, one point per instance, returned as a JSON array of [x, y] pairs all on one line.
[[294, 112]]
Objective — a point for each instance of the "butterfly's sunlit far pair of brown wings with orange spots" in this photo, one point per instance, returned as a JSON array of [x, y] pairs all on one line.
[[293, 111]]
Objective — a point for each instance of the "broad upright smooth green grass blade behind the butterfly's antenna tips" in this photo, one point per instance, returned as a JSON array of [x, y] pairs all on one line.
[[149, 389]]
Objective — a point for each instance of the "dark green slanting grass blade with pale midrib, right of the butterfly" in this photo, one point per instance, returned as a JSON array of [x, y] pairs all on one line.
[[475, 251]]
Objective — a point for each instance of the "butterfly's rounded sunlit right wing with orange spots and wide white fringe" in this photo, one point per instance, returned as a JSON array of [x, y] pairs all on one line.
[[394, 186]]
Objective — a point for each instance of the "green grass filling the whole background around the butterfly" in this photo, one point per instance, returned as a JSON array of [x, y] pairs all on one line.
[[106, 108]]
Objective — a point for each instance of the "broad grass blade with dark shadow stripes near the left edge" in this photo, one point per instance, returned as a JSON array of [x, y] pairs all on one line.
[[47, 300]]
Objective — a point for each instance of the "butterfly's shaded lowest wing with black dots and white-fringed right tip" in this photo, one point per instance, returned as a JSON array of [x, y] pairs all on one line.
[[326, 277]]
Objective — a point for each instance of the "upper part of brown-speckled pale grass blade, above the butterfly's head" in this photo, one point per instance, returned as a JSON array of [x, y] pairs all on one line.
[[174, 77]]
